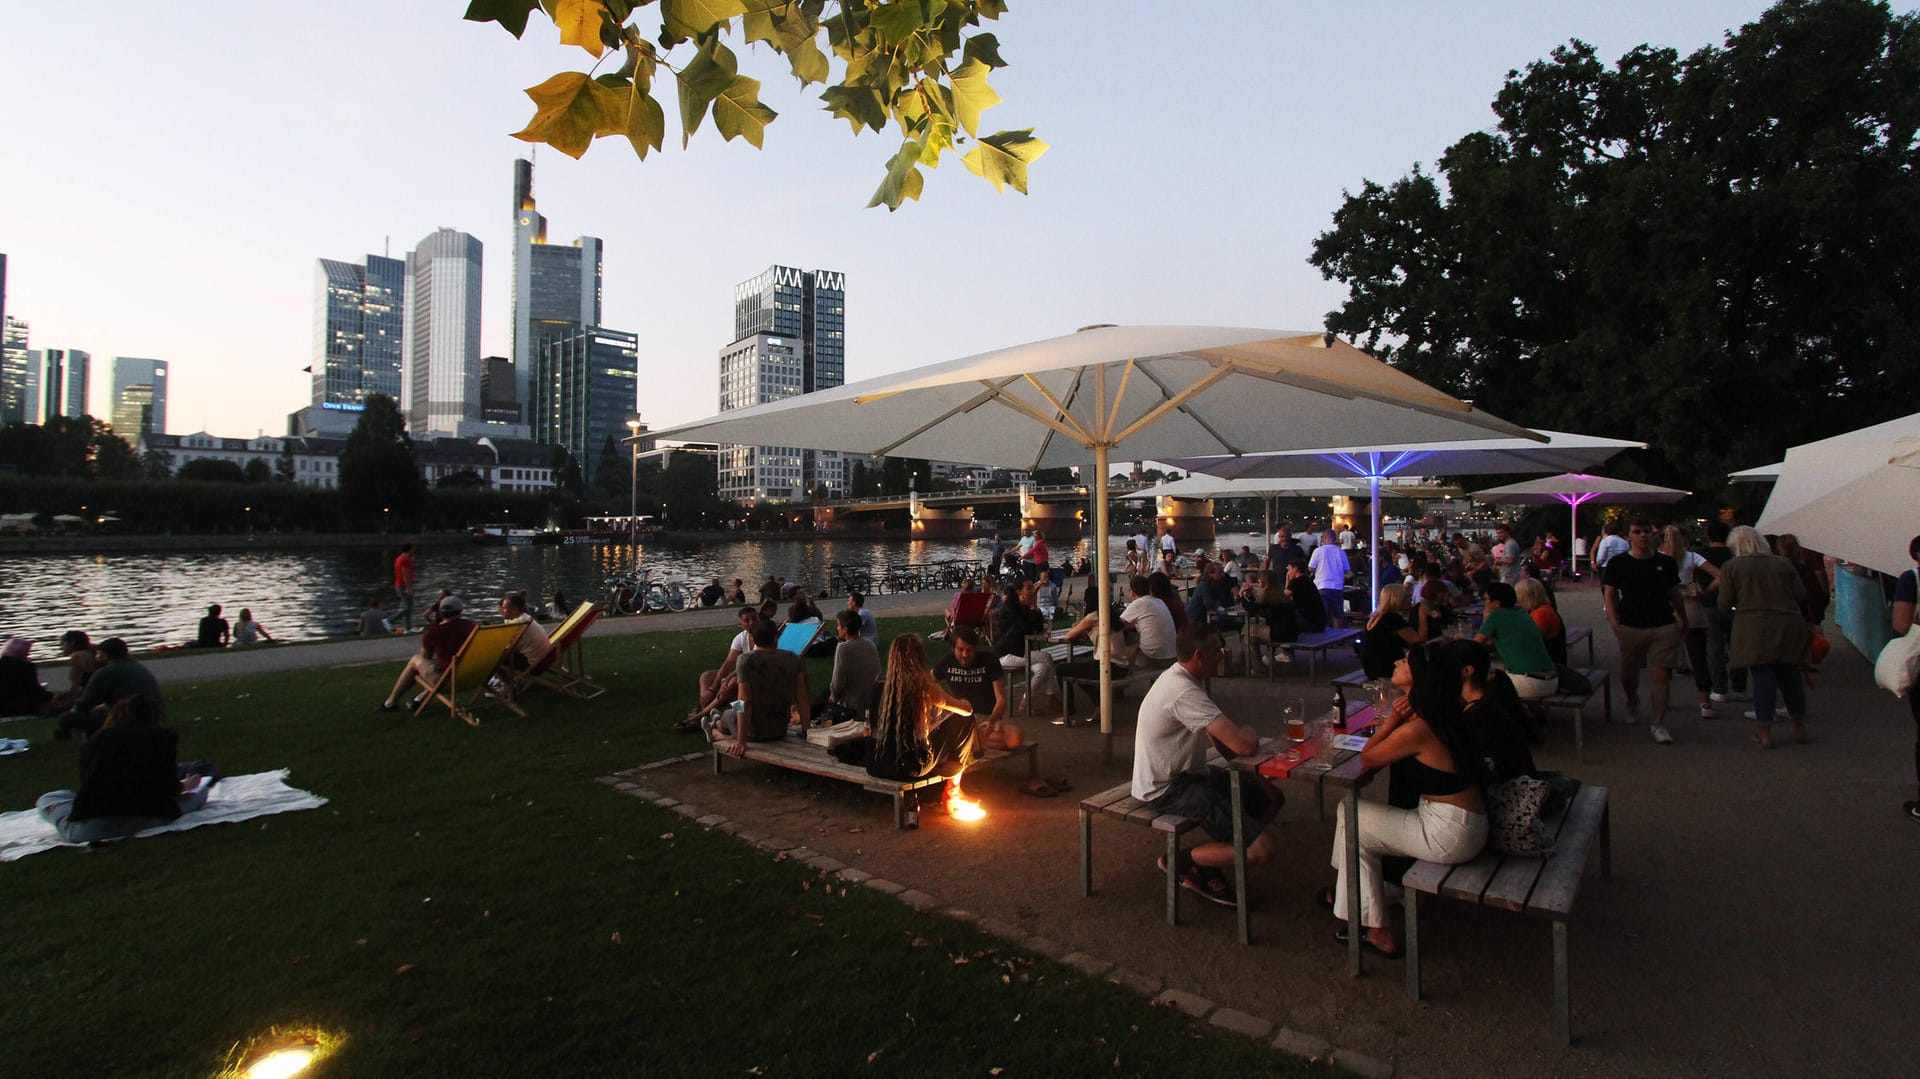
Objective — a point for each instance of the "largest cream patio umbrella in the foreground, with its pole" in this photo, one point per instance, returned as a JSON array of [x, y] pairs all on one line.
[[1141, 393]]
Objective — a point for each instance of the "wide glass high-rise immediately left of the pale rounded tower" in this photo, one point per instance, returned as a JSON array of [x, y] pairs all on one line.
[[358, 331]]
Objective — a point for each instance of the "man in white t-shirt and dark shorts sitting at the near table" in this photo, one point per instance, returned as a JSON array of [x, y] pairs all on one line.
[[1170, 771]]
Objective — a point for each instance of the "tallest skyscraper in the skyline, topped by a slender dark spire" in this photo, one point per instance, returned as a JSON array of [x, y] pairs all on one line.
[[556, 287]]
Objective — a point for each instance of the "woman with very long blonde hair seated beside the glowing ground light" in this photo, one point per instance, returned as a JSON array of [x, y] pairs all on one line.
[[919, 725]]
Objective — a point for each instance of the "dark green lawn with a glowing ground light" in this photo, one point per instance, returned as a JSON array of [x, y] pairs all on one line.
[[473, 903]]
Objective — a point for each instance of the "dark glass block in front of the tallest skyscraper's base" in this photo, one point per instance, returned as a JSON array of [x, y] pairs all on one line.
[[588, 389]]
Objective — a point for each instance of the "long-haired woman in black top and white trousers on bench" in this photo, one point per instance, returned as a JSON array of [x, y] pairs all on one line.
[[1435, 755]]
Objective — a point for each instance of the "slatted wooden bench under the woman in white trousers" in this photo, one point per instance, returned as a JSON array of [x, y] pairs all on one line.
[[1545, 888]]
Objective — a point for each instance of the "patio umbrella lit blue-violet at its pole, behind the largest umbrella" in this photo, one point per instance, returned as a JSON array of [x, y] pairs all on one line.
[[1376, 464]]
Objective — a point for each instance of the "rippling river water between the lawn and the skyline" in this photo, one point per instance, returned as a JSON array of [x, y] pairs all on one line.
[[158, 600]]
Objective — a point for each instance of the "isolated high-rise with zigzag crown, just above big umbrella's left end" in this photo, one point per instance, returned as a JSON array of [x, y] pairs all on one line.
[[790, 337]]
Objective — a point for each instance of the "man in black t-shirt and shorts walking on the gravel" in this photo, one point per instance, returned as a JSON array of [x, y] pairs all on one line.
[[1643, 596]]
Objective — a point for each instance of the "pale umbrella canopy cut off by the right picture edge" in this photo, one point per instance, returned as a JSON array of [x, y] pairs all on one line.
[[1852, 496]]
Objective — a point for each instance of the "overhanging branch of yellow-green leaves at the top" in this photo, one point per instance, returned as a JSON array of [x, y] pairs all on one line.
[[905, 64]]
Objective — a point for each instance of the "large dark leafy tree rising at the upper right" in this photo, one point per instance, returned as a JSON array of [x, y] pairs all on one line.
[[1710, 254]]
